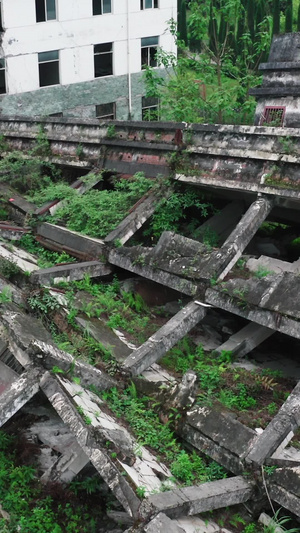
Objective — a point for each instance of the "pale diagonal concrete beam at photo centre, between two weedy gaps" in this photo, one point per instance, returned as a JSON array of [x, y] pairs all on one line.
[[164, 339]]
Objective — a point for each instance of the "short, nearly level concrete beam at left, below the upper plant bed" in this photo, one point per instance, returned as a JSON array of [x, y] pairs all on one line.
[[70, 272]]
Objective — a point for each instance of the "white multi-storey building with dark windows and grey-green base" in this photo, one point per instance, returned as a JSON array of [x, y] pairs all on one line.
[[80, 57]]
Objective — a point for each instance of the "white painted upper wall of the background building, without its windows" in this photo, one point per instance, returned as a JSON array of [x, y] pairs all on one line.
[[74, 33]]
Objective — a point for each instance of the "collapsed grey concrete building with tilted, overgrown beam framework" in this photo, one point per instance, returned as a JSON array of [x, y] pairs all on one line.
[[237, 163]]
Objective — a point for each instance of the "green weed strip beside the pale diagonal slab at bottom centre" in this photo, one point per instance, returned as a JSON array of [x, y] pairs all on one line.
[[150, 431]]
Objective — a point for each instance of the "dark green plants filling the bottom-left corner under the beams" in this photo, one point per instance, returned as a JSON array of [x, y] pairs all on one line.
[[33, 507]]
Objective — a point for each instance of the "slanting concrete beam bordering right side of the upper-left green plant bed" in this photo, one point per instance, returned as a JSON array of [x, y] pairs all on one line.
[[138, 215]]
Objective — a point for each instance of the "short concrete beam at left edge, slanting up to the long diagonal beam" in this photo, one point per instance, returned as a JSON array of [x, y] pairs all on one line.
[[19, 393]]
